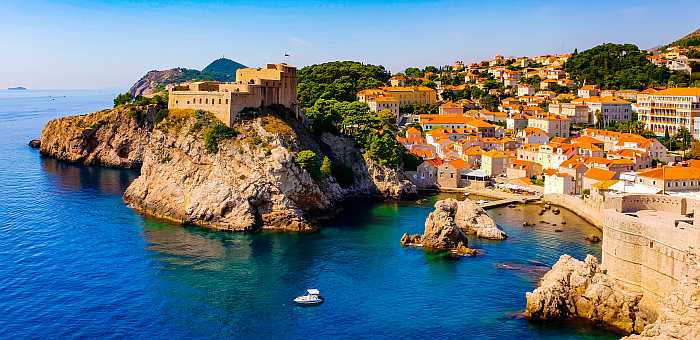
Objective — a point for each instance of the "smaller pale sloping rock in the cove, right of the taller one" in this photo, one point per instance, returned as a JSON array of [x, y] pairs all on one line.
[[473, 220]]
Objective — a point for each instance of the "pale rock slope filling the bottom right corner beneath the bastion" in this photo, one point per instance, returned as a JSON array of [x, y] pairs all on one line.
[[679, 313]]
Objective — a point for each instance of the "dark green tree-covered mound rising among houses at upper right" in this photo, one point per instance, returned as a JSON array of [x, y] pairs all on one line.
[[616, 66]]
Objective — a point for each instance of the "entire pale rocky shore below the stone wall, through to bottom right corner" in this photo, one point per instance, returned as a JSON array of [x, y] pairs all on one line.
[[581, 289]]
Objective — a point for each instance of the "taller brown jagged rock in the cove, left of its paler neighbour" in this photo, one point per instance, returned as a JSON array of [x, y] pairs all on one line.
[[441, 231]]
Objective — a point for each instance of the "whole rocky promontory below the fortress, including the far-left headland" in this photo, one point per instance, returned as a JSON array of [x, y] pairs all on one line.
[[249, 183]]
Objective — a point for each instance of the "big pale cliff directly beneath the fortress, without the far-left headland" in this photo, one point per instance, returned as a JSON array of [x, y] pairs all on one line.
[[251, 181]]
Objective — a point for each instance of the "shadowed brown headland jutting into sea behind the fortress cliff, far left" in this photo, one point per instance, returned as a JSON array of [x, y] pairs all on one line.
[[115, 137]]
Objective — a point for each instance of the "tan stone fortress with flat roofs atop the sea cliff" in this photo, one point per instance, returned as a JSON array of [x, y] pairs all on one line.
[[254, 87]]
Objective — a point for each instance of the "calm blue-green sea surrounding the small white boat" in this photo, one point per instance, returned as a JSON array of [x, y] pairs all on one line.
[[76, 262]]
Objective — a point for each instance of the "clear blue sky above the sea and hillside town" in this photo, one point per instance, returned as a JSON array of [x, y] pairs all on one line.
[[111, 44]]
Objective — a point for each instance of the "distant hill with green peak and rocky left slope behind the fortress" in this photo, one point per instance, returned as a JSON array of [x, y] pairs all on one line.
[[155, 81]]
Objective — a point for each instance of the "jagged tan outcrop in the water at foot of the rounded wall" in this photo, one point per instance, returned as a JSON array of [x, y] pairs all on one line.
[[581, 289]]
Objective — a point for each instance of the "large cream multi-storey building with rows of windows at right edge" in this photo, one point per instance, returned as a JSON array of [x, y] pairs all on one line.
[[670, 109]]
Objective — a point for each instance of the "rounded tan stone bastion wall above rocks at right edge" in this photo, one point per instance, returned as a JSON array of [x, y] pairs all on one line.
[[649, 241]]
